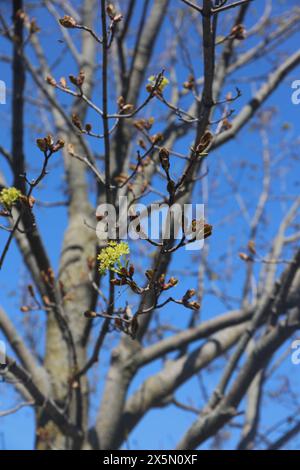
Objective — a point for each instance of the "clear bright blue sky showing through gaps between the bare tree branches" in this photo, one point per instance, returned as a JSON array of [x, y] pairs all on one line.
[[161, 428]]
